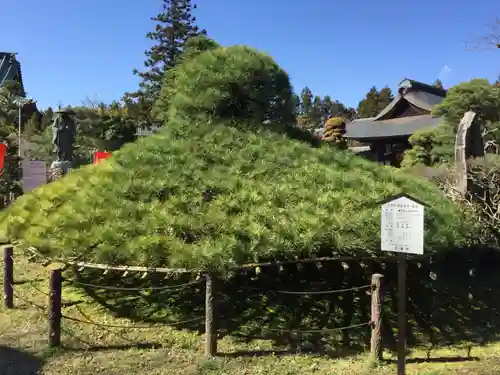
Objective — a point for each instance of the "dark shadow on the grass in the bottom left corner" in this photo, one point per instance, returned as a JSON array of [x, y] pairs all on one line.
[[17, 362]]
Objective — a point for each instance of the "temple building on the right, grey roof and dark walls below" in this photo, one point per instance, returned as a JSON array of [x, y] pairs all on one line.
[[387, 133]]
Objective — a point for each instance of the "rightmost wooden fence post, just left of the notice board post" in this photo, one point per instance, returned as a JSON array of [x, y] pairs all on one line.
[[376, 348]]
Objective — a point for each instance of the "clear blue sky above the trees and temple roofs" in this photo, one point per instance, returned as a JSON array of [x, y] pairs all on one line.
[[73, 49]]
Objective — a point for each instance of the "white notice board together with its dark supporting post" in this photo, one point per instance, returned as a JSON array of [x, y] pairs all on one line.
[[402, 231]]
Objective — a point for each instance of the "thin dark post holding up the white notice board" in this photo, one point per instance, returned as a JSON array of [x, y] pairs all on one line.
[[401, 314]]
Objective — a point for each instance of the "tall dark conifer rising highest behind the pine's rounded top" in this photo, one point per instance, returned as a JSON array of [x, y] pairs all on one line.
[[174, 26]]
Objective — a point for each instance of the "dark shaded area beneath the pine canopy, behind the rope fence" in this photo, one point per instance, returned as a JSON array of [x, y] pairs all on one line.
[[451, 300]]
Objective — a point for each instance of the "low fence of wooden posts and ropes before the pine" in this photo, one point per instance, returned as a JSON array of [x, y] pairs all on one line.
[[55, 315]]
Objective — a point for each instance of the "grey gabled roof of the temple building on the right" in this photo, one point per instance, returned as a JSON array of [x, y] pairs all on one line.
[[408, 112]]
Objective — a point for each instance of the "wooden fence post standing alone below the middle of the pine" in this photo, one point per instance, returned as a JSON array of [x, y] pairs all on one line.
[[210, 316]]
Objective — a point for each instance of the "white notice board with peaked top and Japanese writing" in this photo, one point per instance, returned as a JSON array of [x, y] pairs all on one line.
[[402, 226]]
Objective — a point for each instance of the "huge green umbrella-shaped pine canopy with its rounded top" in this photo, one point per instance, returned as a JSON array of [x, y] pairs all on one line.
[[221, 186]]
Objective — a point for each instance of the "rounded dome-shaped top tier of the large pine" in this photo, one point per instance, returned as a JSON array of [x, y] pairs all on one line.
[[234, 82]]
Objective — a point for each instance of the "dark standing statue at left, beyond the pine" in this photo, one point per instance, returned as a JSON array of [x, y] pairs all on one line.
[[63, 134]]
